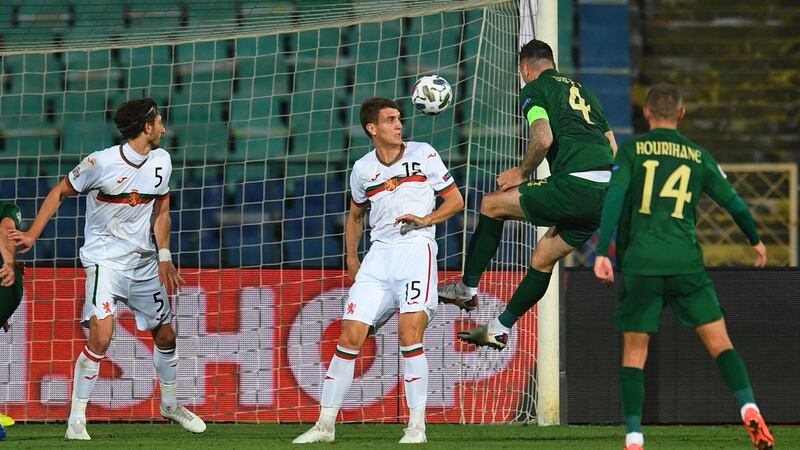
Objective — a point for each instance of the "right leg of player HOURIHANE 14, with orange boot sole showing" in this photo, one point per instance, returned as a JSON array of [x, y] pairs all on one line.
[[715, 337]]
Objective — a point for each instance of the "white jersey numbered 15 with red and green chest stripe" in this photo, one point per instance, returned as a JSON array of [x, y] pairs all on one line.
[[407, 186]]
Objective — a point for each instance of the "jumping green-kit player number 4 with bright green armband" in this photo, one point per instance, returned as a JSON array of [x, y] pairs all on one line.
[[568, 126]]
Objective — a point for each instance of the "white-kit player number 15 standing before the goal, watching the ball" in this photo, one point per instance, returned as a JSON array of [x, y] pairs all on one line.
[[399, 181]]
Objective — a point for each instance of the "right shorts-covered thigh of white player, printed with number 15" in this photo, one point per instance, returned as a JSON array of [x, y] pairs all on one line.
[[416, 278]]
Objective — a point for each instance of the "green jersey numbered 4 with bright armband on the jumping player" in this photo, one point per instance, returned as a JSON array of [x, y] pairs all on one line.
[[576, 118]]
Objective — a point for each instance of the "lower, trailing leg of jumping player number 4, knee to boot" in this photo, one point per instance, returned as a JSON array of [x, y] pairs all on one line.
[[531, 289]]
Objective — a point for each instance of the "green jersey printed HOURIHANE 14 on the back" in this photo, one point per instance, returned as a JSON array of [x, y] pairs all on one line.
[[665, 175]]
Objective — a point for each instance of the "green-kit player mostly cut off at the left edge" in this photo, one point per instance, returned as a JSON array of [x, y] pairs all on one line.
[[10, 277]]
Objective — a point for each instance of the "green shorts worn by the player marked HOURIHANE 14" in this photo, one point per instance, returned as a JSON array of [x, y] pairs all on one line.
[[691, 296]]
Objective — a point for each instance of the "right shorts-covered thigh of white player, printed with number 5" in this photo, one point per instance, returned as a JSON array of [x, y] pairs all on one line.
[[149, 302]]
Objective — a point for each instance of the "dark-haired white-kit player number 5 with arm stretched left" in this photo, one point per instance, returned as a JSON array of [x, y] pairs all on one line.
[[125, 185]]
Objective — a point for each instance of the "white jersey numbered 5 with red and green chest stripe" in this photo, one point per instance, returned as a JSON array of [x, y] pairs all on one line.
[[121, 186]]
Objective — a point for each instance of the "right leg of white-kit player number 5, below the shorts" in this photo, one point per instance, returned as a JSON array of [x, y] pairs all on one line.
[[165, 360]]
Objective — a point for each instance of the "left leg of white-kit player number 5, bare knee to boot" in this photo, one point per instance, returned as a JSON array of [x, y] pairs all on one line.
[[87, 368]]
